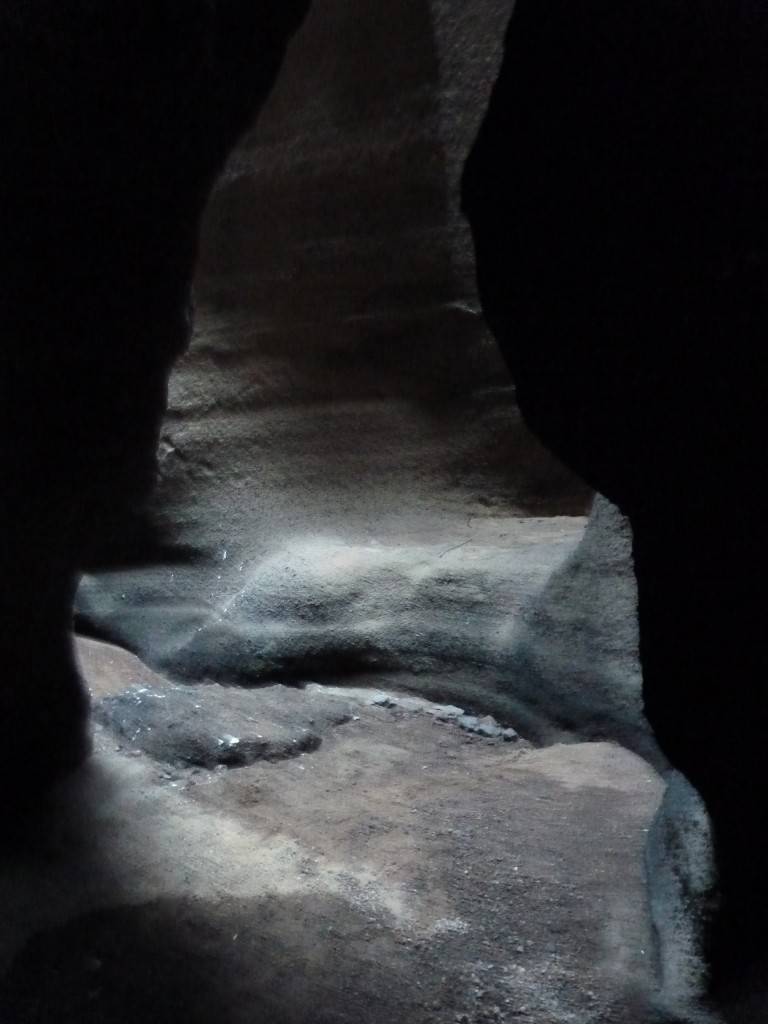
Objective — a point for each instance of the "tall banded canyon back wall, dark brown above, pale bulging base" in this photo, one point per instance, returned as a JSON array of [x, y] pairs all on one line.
[[344, 418]]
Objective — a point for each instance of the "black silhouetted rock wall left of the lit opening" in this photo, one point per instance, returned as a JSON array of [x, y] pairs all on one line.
[[115, 120]]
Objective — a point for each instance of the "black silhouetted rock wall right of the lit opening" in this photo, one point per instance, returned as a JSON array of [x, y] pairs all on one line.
[[617, 196]]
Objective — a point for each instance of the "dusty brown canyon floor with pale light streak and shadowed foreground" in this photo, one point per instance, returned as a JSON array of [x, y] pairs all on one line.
[[403, 871]]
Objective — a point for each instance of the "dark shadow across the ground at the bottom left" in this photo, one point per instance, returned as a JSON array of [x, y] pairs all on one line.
[[198, 962]]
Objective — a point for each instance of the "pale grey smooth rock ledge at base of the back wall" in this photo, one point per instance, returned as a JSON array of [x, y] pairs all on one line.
[[530, 619]]
